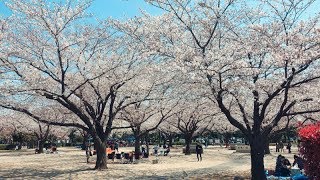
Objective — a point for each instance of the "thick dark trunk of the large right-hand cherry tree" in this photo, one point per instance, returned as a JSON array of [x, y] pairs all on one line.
[[257, 144]]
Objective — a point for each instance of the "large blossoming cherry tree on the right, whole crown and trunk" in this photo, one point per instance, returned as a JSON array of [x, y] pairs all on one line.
[[256, 58]]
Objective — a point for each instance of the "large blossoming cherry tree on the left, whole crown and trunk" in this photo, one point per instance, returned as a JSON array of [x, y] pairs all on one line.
[[57, 59]]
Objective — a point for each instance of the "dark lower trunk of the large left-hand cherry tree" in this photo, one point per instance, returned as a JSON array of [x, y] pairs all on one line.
[[100, 147]]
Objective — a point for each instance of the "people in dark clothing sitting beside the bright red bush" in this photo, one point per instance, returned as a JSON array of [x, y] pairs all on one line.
[[283, 165]]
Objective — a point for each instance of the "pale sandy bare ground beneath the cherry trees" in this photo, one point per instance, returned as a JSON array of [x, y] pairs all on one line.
[[70, 163]]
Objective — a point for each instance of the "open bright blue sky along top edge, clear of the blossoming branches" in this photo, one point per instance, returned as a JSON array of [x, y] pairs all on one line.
[[119, 9]]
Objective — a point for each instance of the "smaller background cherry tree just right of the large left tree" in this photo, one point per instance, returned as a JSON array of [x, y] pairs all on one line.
[[146, 116]]
